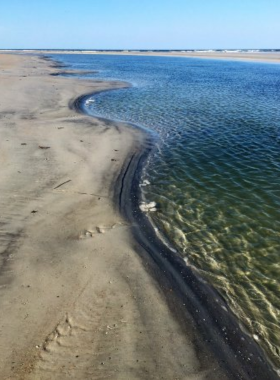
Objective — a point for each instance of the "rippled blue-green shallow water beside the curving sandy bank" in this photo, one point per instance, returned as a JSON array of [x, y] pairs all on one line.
[[215, 172]]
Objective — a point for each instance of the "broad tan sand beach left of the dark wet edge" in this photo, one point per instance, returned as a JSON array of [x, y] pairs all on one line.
[[76, 299]]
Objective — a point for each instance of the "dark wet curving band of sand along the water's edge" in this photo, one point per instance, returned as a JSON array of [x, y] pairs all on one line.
[[220, 329]]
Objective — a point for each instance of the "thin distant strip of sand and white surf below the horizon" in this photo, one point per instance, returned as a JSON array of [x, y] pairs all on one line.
[[267, 56]]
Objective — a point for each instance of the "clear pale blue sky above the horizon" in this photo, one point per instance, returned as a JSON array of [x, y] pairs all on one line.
[[139, 24]]
